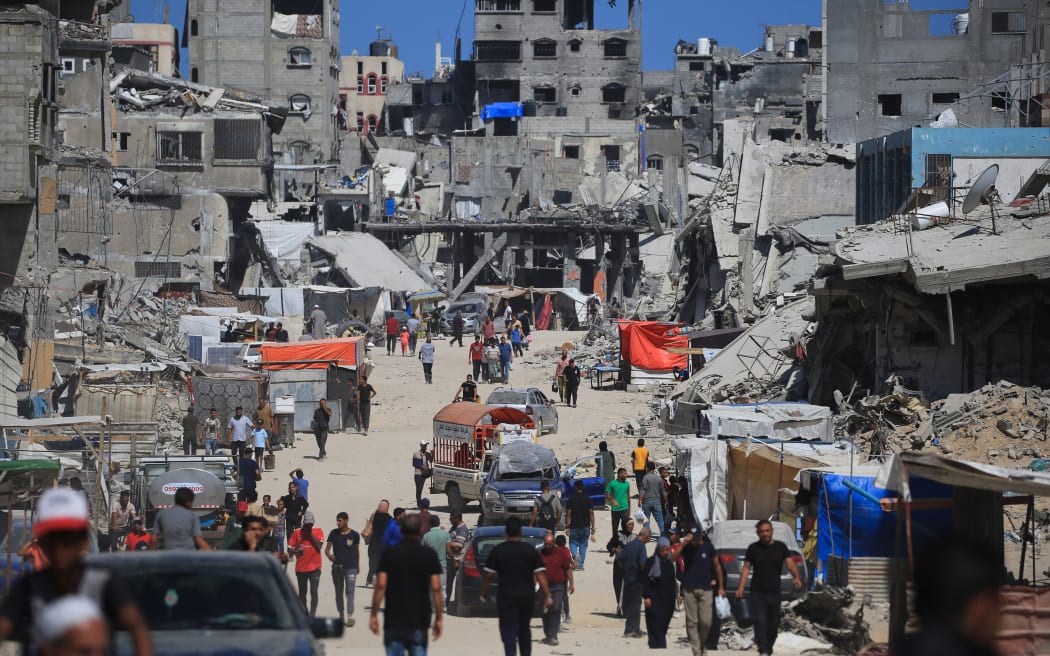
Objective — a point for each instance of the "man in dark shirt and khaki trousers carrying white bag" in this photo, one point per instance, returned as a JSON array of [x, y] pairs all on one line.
[[702, 568]]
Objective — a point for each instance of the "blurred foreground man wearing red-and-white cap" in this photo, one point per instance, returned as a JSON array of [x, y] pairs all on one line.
[[61, 526]]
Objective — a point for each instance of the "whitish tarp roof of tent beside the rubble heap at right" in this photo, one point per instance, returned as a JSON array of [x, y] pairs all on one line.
[[776, 421]]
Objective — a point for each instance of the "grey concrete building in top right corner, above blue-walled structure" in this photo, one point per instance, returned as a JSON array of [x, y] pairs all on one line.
[[891, 67]]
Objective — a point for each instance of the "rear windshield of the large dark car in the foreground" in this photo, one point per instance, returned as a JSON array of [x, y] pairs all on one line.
[[211, 598]]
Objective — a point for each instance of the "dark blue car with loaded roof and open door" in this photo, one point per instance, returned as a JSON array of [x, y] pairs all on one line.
[[513, 483]]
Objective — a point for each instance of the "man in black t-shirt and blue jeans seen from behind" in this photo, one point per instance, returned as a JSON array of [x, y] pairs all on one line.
[[410, 580]]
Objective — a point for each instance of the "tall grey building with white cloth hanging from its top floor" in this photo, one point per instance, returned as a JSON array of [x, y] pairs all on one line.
[[284, 51]]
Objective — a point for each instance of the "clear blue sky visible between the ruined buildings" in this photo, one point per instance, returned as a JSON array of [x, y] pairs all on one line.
[[417, 25]]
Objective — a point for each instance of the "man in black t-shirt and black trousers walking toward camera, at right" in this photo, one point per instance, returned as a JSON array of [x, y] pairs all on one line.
[[766, 557]]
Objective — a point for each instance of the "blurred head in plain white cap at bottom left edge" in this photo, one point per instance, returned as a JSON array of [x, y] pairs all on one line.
[[73, 625]]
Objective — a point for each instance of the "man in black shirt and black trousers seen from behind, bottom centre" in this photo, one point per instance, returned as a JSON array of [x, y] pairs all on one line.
[[518, 566]]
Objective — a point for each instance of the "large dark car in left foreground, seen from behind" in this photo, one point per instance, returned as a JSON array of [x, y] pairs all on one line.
[[217, 603]]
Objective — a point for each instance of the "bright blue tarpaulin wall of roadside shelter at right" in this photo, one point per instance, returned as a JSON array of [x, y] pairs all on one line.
[[874, 530]]
